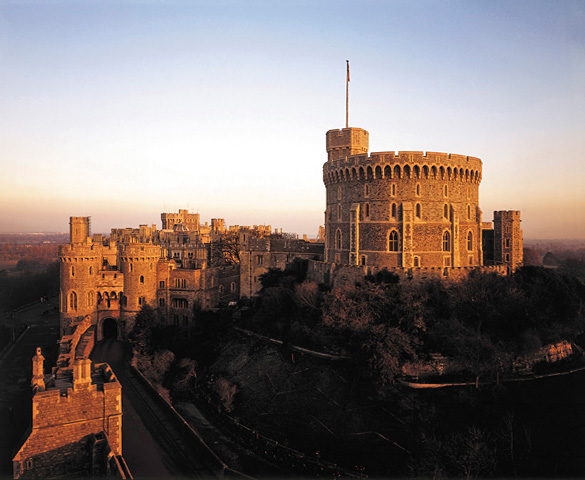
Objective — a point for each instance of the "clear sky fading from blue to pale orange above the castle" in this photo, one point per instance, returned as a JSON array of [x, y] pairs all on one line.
[[120, 110]]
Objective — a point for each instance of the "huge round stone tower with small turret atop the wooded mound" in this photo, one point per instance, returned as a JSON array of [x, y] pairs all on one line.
[[400, 210]]
